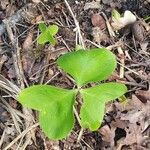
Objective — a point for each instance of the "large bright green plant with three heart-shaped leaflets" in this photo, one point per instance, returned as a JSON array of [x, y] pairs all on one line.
[[55, 105]]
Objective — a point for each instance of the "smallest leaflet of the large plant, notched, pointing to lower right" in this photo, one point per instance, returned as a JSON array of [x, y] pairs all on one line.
[[94, 99]]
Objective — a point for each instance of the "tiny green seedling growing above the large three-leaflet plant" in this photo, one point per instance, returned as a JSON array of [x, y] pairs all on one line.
[[47, 34]]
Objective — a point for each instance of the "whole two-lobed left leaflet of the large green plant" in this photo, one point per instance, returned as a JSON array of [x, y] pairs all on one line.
[[55, 106]]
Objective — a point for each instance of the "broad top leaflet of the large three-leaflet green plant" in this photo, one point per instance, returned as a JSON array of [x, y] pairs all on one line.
[[88, 66]]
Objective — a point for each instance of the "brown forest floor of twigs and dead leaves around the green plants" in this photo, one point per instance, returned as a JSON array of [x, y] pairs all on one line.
[[126, 126]]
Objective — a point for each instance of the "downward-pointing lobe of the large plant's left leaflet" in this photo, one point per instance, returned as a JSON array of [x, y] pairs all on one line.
[[58, 120]]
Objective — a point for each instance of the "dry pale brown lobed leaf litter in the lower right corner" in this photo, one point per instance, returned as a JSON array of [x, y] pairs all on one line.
[[133, 118]]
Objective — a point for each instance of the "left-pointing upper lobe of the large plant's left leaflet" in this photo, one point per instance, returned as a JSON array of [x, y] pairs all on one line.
[[39, 97]]
